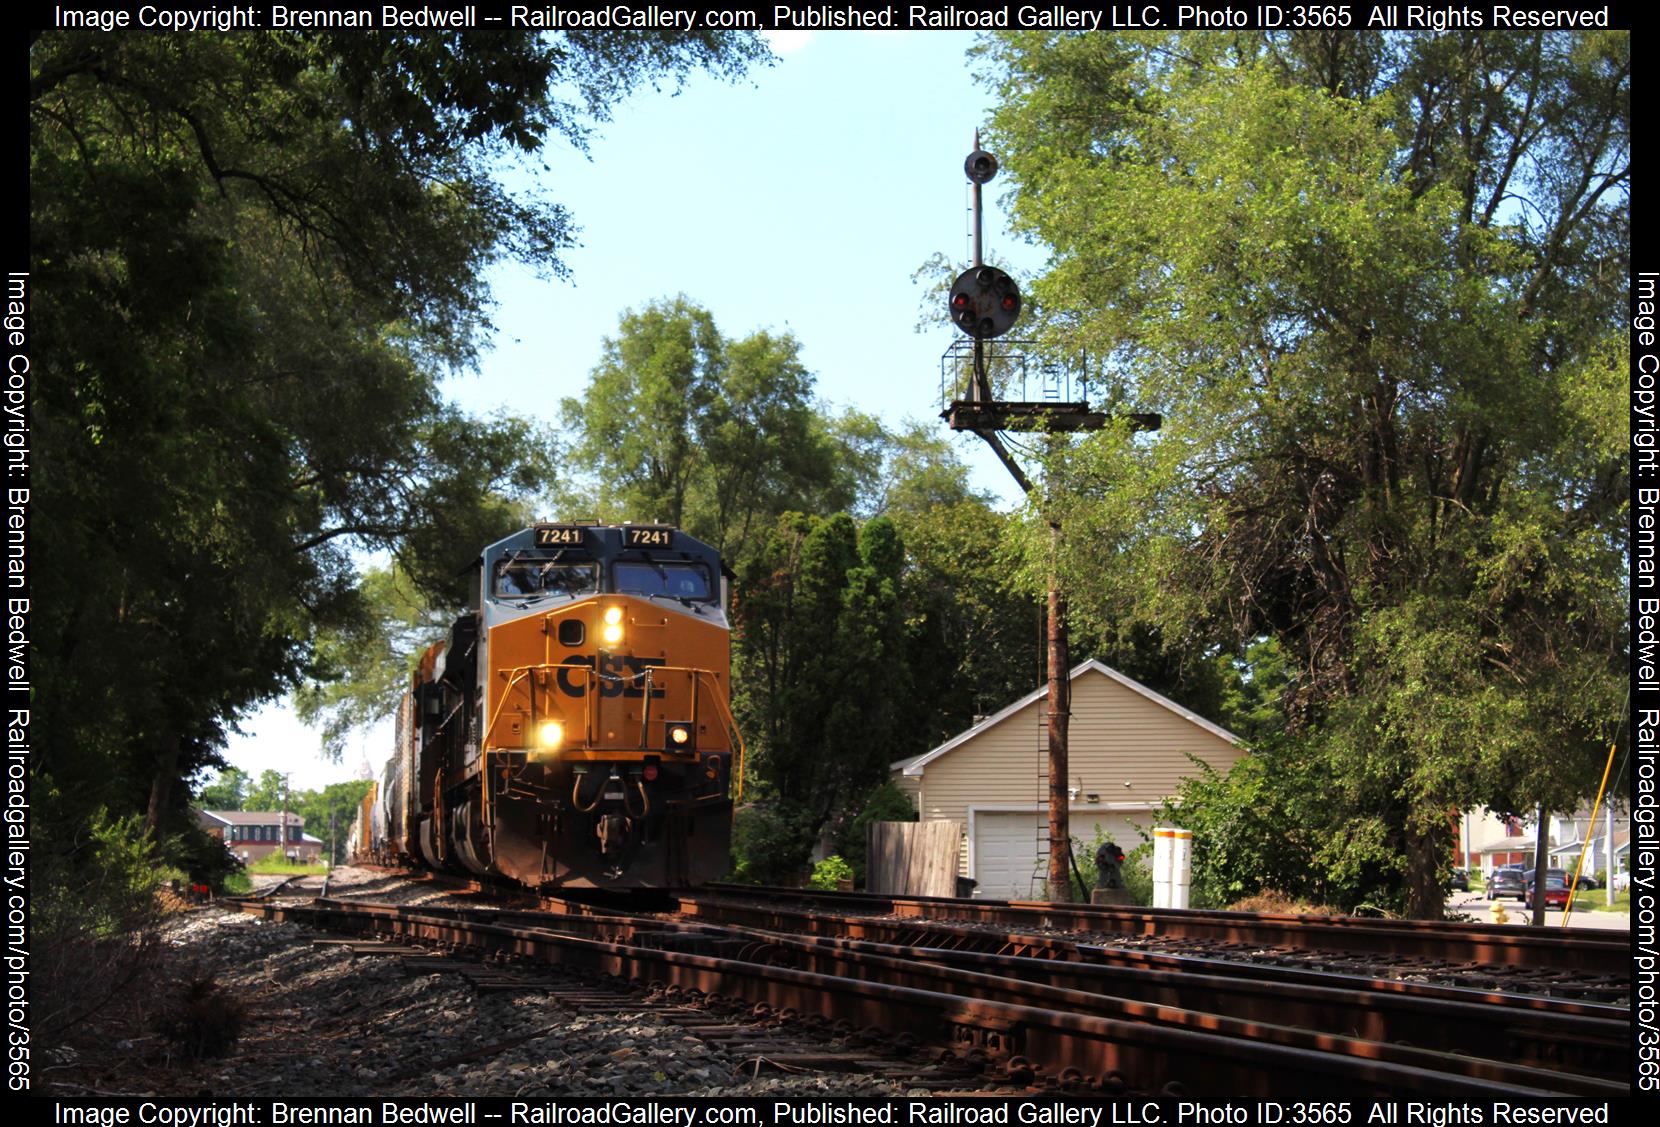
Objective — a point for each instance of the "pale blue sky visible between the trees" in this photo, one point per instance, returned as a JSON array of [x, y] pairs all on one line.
[[801, 198]]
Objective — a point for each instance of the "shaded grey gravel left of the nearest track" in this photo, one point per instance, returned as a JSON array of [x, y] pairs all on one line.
[[320, 1022]]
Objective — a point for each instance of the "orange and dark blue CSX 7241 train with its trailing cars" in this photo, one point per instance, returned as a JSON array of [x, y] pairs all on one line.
[[575, 729]]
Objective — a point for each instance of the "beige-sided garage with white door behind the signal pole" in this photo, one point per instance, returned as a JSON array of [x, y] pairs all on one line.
[[1128, 753]]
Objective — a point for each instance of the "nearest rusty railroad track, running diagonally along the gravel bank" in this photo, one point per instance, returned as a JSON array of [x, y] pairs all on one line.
[[1028, 1028]]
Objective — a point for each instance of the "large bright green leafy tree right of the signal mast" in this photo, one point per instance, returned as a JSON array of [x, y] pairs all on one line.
[[1374, 283]]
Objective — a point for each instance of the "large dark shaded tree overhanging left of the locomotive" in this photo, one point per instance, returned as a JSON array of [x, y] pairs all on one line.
[[253, 258]]
